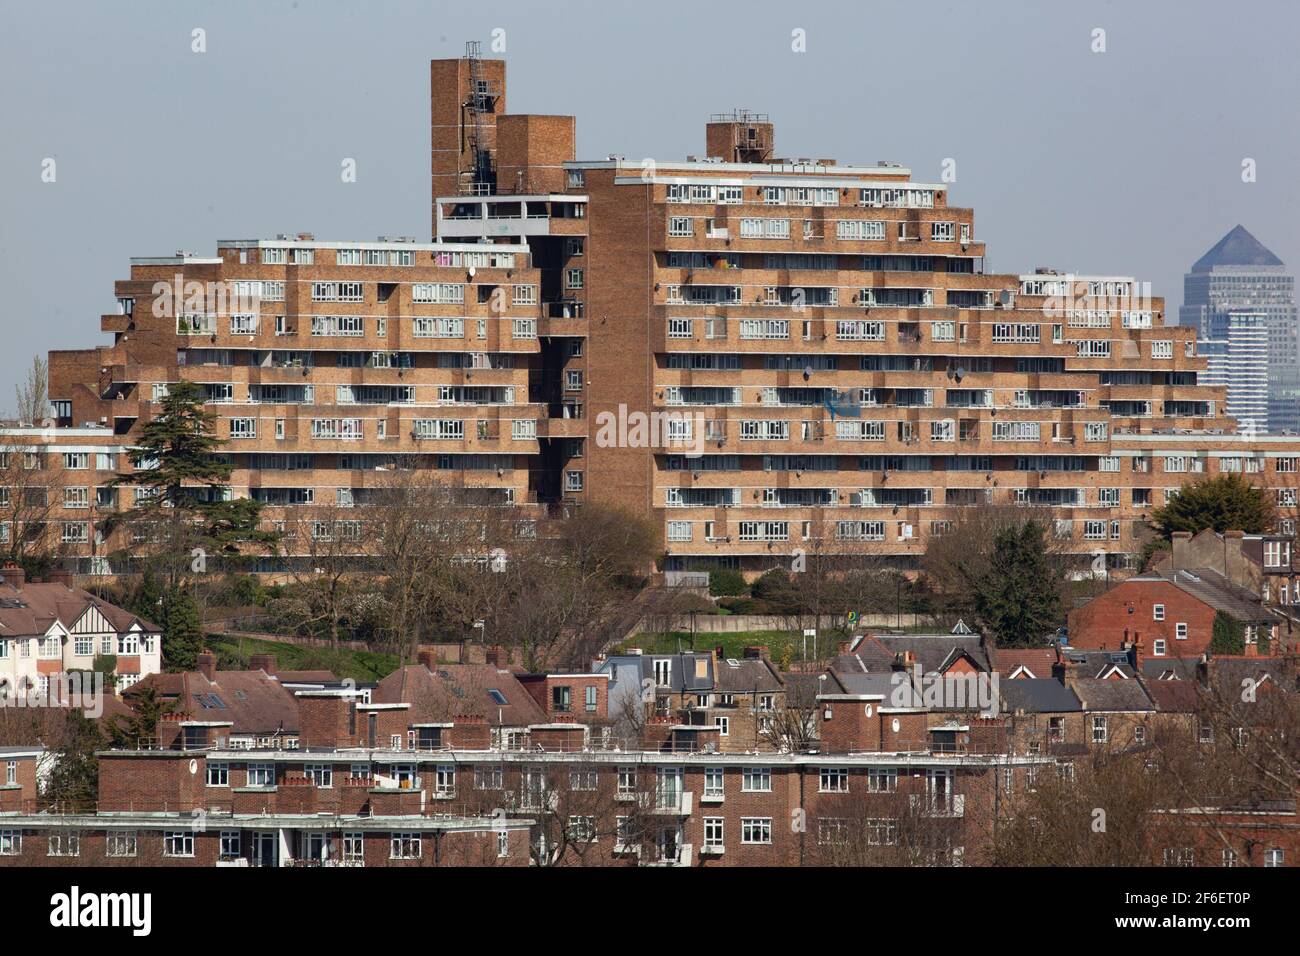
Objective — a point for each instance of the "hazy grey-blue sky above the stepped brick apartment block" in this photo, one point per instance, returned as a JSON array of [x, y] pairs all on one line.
[[1125, 162]]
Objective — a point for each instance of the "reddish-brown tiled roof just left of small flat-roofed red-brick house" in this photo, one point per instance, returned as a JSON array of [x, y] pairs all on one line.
[[461, 690]]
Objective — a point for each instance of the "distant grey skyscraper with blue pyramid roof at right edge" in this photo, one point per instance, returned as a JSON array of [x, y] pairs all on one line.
[[1240, 276]]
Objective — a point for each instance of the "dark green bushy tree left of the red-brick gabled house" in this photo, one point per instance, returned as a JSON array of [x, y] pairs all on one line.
[[1017, 599]]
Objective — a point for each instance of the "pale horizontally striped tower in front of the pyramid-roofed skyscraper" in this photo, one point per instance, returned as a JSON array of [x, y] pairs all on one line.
[[1238, 353]]
